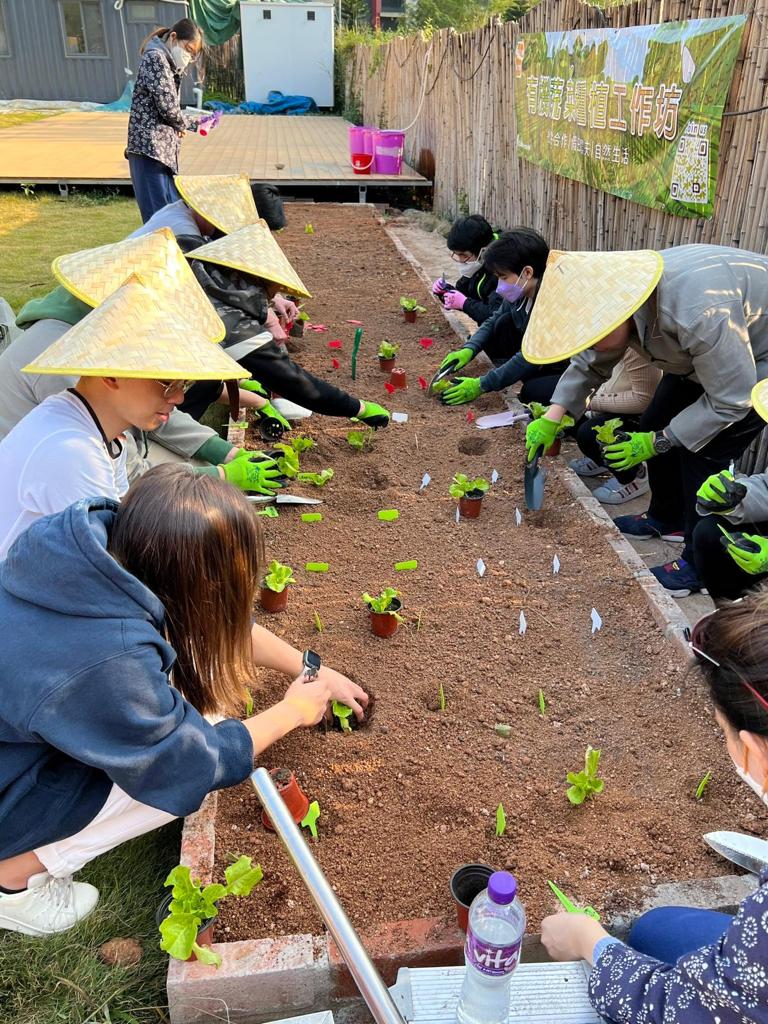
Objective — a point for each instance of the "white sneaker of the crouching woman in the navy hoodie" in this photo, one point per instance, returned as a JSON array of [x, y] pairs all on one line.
[[48, 906]]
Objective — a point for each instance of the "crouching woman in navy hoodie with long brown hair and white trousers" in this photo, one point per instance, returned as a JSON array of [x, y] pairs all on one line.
[[74, 785]]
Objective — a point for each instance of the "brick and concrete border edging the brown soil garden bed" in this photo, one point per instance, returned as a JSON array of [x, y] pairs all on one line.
[[267, 979]]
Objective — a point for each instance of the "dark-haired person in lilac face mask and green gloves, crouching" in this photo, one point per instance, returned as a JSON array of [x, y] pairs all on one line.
[[519, 259]]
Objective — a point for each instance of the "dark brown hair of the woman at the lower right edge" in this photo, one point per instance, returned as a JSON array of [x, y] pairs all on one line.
[[737, 638]]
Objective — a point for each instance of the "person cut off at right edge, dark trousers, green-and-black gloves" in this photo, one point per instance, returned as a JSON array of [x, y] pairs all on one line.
[[731, 542]]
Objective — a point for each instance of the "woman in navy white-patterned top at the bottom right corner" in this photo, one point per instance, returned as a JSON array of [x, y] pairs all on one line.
[[682, 965]]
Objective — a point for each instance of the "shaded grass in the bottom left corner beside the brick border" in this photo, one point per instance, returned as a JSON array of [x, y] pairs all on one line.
[[63, 979]]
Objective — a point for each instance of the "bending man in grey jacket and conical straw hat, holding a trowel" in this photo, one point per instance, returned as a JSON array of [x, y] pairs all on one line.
[[698, 313]]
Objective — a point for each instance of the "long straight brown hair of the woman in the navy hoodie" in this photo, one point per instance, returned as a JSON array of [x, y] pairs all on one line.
[[196, 543]]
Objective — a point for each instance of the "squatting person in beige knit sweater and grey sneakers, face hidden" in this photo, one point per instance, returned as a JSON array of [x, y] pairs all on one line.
[[626, 397]]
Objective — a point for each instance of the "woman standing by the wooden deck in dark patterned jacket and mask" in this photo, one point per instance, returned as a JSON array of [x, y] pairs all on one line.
[[156, 125]]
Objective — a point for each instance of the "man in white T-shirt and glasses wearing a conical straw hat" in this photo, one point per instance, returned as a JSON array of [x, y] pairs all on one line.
[[135, 358]]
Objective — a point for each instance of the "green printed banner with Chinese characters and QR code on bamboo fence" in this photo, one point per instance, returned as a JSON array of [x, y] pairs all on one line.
[[633, 112]]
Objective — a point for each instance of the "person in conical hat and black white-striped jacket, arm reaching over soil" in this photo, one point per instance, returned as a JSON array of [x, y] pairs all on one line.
[[238, 273]]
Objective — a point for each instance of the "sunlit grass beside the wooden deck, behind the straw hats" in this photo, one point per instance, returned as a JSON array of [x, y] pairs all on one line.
[[35, 229]]
